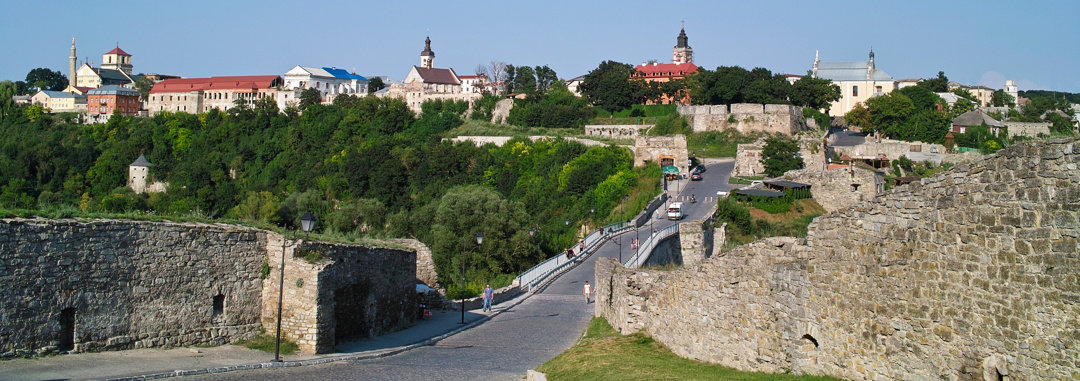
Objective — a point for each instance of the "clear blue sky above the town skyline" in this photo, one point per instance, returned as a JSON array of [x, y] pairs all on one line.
[[975, 43]]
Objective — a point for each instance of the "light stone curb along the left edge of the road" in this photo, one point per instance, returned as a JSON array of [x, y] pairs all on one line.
[[330, 359]]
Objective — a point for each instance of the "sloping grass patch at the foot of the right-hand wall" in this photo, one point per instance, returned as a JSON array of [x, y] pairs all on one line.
[[604, 355]]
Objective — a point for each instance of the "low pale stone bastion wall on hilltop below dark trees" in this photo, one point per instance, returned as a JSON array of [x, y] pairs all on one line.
[[746, 118]]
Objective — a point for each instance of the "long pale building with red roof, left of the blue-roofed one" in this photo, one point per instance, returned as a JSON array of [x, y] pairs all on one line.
[[196, 96]]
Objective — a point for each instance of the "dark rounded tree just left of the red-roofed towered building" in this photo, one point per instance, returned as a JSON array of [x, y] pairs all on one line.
[[610, 87]]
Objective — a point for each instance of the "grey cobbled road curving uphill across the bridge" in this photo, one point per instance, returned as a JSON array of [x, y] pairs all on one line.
[[510, 344]]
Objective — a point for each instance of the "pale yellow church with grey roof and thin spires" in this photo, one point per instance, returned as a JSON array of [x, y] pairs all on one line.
[[859, 81]]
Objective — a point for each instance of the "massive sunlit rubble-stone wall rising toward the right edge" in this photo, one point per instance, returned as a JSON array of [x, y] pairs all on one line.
[[971, 275]]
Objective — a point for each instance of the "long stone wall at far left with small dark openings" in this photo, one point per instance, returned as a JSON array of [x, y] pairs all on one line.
[[131, 284]]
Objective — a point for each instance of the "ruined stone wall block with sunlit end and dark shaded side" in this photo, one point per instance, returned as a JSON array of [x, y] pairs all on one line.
[[354, 293]]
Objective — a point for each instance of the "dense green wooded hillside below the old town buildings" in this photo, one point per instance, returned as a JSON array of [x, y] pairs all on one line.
[[364, 167]]
